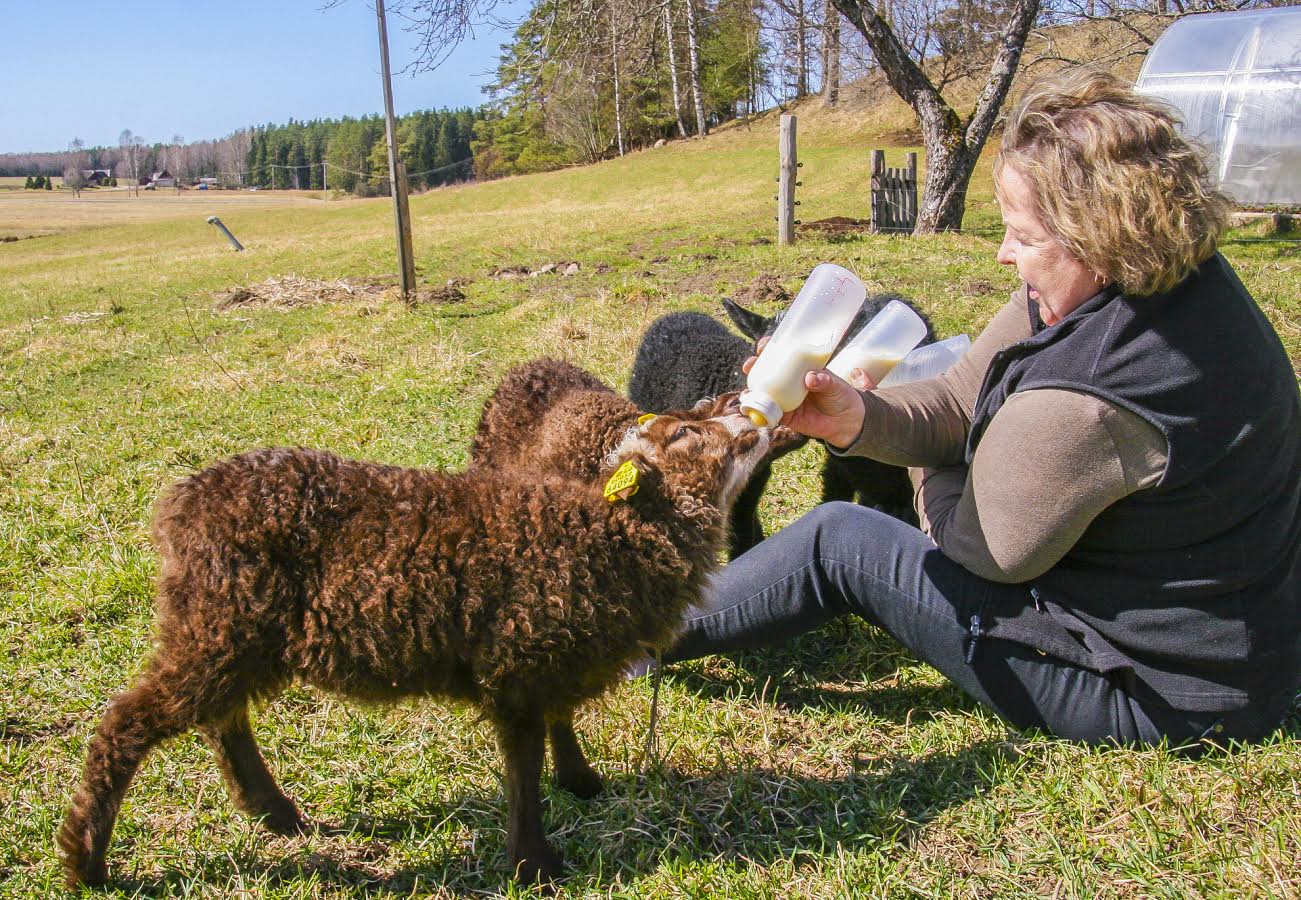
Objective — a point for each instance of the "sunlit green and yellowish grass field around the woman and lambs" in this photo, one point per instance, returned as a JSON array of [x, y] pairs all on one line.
[[836, 767]]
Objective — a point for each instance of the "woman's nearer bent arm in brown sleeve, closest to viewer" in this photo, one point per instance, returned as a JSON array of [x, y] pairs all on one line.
[[1048, 465]]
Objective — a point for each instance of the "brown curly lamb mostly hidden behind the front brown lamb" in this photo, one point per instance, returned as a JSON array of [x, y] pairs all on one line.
[[552, 417]]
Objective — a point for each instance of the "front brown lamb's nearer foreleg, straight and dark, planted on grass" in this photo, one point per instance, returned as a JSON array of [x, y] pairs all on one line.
[[524, 745]]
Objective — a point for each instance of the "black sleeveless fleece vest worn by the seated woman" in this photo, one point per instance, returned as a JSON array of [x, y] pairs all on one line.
[[1194, 585]]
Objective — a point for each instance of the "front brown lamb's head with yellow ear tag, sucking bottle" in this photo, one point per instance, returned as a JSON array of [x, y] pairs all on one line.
[[697, 465]]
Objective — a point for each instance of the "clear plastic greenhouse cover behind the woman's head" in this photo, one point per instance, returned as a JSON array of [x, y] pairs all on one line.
[[1237, 83]]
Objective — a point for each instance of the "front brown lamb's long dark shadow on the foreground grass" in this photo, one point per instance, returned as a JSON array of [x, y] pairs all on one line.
[[637, 827]]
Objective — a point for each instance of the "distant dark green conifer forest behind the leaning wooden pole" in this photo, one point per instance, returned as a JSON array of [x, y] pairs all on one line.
[[352, 154]]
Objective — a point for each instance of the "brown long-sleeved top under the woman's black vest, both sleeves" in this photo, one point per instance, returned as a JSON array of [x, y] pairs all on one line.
[[1049, 464]]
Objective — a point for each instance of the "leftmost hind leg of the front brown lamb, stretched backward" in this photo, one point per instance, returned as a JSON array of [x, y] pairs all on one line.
[[135, 724]]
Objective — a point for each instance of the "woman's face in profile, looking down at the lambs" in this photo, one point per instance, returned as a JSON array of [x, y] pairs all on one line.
[[1058, 282]]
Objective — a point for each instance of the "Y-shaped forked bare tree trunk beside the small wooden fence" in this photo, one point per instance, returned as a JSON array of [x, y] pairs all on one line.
[[953, 145]]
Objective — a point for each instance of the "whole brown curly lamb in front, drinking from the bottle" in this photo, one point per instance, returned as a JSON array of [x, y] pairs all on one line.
[[524, 595]]
